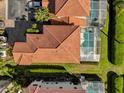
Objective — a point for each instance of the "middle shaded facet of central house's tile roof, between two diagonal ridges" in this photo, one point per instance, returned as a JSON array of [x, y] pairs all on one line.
[[44, 40]]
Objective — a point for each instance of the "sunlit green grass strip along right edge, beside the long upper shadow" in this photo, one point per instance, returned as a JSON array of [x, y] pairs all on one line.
[[118, 40]]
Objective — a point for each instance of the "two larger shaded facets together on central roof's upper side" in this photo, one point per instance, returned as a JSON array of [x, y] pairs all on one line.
[[53, 35]]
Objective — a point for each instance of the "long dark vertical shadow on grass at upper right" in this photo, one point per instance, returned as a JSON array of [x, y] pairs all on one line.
[[112, 41]]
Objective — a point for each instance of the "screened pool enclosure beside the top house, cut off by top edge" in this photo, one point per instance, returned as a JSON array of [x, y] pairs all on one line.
[[98, 11]]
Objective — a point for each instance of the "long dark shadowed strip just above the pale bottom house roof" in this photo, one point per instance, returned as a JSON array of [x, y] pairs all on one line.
[[26, 81]]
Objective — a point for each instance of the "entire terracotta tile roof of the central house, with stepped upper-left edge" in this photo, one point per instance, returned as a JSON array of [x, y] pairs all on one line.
[[57, 44]]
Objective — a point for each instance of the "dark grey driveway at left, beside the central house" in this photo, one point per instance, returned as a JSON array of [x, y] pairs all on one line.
[[17, 33]]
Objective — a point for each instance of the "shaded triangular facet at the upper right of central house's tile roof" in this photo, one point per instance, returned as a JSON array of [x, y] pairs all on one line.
[[60, 33]]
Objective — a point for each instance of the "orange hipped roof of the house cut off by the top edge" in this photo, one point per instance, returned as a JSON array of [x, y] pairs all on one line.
[[68, 7]]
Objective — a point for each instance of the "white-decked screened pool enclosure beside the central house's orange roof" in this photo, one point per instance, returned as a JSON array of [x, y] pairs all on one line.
[[90, 52]]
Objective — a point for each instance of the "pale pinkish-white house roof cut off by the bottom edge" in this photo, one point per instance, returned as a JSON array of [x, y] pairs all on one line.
[[51, 87]]
